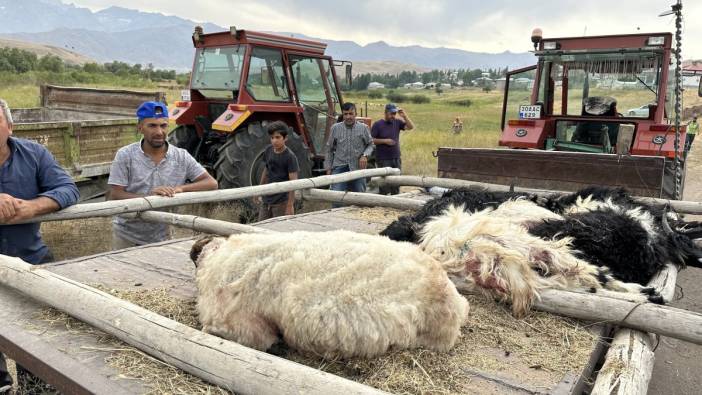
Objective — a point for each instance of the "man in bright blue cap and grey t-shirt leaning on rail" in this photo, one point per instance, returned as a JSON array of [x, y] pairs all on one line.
[[151, 167]]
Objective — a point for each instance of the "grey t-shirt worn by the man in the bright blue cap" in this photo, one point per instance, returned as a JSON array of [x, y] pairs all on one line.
[[135, 171]]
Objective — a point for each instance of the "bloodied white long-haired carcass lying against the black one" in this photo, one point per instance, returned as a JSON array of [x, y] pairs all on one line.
[[493, 251]]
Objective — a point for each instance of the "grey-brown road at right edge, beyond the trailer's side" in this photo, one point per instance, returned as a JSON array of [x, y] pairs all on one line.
[[678, 368]]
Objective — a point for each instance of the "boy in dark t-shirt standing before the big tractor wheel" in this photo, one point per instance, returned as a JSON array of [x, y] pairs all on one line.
[[281, 165]]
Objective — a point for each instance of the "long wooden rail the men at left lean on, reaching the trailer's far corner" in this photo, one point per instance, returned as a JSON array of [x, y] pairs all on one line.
[[115, 207]]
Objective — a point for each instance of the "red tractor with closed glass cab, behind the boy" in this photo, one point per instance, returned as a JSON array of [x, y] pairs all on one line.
[[241, 80]]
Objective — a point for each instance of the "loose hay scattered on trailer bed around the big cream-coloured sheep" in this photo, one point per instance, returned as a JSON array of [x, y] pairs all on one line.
[[492, 342]]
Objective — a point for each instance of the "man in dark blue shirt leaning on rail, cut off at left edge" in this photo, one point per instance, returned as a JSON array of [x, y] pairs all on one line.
[[31, 184]]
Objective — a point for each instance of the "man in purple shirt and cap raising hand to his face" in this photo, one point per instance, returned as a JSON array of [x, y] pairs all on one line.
[[386, 137]]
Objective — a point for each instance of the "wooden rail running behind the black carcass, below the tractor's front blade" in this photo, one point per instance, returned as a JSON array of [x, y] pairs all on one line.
[[680, 206]]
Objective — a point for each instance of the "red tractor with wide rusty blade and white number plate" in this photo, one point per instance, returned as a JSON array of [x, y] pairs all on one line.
[[592, 111]]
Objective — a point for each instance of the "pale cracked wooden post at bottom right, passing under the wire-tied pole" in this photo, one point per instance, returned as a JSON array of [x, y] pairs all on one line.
[[630, 359]]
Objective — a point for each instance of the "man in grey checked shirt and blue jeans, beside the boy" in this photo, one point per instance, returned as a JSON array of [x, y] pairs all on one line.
[[347, 149]]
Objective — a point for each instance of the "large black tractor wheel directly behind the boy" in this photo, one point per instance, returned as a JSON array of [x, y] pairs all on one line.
[[240, 162]]
